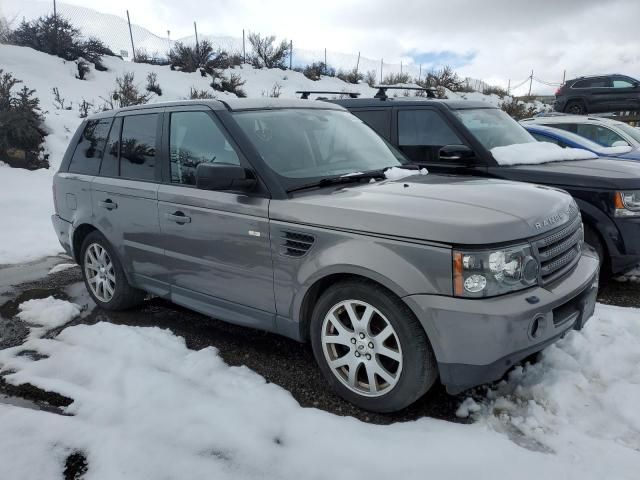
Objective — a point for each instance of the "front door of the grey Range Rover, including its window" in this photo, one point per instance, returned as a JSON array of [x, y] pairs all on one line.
[[217, 246]]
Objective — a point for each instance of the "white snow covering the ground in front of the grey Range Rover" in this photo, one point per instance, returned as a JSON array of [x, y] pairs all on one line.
[[147, 407]]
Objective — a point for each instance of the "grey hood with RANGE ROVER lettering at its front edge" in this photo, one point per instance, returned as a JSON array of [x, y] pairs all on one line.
[[446, 209]]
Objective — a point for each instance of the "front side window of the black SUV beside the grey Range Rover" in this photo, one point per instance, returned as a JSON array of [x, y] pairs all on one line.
[[422, 133]]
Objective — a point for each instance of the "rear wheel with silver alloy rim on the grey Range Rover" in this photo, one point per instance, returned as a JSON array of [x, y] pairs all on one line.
[[104, 276]]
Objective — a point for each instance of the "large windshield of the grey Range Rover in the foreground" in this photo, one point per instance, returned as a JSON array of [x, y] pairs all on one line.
[[303, 145]]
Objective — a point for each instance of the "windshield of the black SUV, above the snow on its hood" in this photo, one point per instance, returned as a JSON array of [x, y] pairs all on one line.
[[493, 127]]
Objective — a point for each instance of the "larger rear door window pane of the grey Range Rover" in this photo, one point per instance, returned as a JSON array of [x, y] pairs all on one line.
[[138, 147]]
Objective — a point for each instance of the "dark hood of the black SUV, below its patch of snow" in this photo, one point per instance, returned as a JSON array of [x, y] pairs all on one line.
[[604, 173]]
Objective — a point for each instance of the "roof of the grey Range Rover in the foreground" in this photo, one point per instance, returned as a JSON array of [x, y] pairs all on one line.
[[231, 104]]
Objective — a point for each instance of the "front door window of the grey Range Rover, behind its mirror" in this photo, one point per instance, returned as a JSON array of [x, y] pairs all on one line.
[[196, 138]]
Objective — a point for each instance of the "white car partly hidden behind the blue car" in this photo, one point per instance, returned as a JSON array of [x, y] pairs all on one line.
[[603, 131]]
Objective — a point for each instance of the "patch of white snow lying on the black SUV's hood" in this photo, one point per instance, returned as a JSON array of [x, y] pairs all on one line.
[[532, 153]]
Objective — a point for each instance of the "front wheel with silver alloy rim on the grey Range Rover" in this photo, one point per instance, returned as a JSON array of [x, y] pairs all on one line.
[[370, 347]]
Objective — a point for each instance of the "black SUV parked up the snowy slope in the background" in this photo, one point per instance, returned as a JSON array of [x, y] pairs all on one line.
[[606, 93]]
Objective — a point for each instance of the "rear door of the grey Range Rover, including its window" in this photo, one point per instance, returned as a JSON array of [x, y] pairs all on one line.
[[124, 197]]
